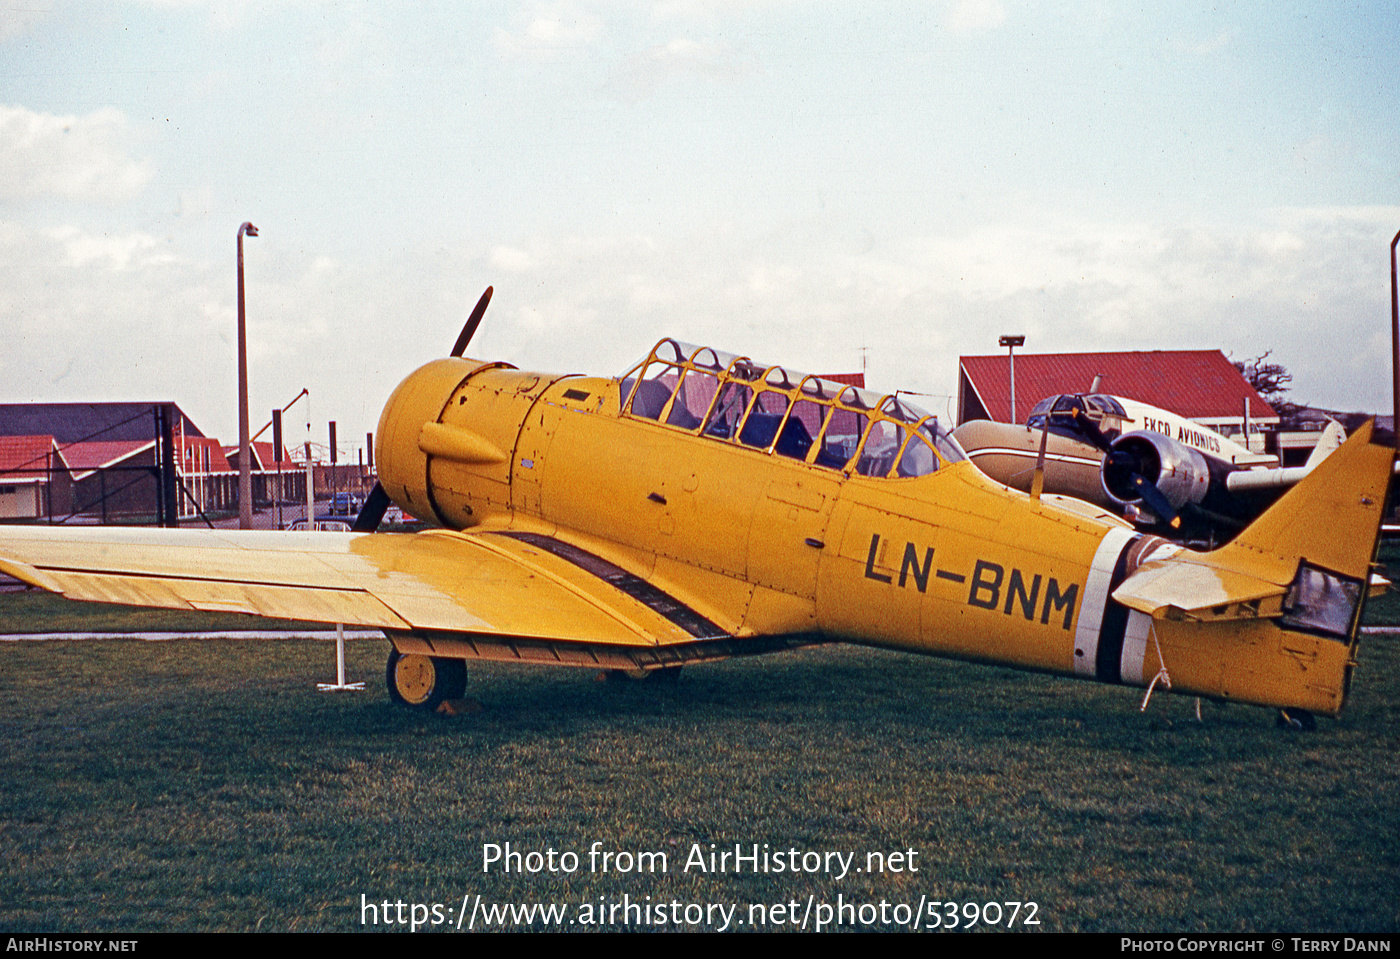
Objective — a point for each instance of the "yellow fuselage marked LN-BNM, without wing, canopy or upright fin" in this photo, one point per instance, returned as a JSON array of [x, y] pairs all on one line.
[[762, 544]]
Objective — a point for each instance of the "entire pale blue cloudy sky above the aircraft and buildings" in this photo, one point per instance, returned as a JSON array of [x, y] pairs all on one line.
[[814, 184]]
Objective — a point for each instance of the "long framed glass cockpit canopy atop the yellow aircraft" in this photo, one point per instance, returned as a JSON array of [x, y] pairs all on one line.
[[820, 422]]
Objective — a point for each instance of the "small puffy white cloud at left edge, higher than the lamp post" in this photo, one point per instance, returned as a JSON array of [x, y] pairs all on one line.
[[76, 157]]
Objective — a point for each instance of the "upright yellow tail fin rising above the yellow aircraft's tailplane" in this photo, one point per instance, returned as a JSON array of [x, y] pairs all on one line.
[[1332, 519]]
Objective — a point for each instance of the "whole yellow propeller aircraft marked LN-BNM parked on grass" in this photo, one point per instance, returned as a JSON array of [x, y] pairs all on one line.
[[705, 506]]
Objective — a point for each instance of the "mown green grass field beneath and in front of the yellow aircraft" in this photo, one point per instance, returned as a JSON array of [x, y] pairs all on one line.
[[209, 786]]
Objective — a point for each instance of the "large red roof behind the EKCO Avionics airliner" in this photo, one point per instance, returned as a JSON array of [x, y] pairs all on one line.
[[1202, 386]]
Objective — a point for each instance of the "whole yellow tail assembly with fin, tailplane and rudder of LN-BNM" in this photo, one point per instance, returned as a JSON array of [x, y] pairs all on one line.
[[1289, 593]]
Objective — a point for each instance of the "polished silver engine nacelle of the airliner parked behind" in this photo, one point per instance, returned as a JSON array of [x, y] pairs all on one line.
[[1184, 475]]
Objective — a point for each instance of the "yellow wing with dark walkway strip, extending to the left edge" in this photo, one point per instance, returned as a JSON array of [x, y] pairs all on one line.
[[495, 586]]
